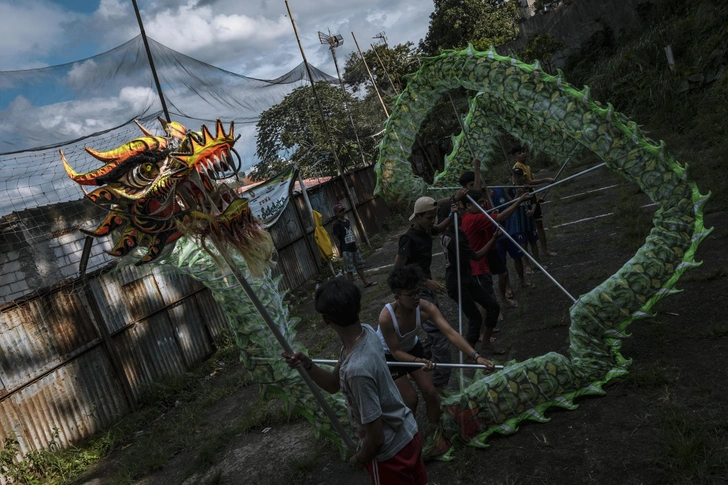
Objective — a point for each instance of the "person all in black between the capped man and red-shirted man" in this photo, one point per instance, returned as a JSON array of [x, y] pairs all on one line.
[[471, 291]]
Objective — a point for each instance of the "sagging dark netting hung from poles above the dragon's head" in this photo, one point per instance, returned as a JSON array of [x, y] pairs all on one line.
[[93, 102]]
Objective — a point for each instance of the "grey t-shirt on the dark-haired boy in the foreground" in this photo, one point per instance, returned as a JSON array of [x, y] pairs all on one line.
[[371, 393]]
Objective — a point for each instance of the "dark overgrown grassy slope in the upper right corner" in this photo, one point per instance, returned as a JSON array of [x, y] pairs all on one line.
[[687, 106]]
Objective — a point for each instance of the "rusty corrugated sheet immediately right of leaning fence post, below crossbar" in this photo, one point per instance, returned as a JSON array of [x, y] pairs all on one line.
[[148, 351]]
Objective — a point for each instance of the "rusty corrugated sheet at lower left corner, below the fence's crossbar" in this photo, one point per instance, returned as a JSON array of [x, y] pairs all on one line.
[[79, 398]]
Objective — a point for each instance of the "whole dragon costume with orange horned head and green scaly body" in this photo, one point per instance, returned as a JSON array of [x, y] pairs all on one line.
[[164, 201]]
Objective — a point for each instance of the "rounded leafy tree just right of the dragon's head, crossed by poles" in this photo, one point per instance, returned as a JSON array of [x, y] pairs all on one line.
[[294, 128]]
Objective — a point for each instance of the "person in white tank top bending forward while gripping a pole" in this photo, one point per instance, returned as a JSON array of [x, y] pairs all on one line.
[[398, 325]]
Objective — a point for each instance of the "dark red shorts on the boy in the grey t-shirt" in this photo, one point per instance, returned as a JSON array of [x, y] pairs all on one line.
[[404, 468]]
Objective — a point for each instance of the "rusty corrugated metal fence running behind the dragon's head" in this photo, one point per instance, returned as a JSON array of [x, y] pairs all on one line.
[[76, 357]]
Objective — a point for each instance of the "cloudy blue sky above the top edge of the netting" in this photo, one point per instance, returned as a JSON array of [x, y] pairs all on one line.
[[250, 37]]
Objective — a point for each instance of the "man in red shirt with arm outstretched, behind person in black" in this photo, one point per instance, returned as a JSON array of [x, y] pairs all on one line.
[[481, 231]]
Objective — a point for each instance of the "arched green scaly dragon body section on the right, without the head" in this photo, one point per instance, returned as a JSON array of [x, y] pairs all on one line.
[[546, 112]]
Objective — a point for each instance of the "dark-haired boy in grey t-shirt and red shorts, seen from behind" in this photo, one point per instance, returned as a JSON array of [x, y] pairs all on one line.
[[390, 445]]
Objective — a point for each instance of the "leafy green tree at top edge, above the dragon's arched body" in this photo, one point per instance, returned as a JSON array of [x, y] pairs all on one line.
[[483, 23]]
